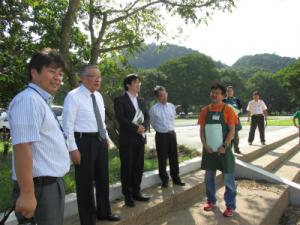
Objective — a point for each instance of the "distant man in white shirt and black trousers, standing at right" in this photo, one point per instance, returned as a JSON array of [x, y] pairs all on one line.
[[257, 109]]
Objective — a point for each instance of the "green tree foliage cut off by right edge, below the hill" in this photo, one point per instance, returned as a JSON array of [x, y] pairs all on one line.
[[289, 79]]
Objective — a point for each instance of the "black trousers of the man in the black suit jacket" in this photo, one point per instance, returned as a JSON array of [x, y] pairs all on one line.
[[132, 168]]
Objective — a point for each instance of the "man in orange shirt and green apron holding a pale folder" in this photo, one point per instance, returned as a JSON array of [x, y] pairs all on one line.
[[217, 126]]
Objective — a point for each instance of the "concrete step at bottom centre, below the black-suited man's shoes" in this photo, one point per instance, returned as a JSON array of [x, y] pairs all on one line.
[[162, 201]]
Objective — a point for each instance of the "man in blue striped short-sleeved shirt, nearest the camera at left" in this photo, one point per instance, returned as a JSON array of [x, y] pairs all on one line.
[[40, 154]]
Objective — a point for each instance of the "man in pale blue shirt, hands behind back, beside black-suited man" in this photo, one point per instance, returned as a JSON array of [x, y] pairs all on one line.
[[162, 116]]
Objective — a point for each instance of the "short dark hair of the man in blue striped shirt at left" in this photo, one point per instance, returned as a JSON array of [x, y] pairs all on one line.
[[45, 57]]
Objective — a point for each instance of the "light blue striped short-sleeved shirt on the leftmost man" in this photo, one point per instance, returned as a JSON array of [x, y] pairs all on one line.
[[32, 121]]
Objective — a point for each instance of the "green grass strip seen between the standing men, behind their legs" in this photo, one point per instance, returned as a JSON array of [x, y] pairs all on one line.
[[151, 163]]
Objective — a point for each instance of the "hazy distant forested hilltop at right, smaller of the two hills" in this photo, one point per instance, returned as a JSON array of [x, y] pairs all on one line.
[[269, 62]]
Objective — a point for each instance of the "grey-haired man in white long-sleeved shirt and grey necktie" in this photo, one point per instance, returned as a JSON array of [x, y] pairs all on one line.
[[84, 125]]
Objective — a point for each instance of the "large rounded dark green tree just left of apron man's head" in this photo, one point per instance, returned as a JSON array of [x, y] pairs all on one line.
[[189, 79]]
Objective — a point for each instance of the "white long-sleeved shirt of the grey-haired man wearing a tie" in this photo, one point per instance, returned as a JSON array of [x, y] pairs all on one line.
[[79, 115]]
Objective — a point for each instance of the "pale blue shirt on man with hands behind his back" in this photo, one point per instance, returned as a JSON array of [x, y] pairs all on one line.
[[162, 117]]
